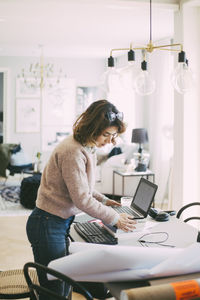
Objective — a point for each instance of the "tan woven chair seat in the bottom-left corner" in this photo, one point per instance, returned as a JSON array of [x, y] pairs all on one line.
[[13, 284]]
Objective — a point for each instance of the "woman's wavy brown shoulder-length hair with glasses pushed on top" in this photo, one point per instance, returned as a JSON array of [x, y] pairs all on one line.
[[93, 122]]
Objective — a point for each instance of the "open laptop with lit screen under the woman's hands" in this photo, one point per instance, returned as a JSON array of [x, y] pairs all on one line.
[[142, 200]]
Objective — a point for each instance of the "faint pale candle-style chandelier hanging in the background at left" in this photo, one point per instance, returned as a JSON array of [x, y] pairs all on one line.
[[40, 75]]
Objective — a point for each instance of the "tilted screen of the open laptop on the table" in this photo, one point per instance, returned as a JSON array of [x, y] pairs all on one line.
[[144, 196]]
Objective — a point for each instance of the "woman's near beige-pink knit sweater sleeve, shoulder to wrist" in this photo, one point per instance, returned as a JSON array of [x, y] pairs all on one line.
[[77, 173]]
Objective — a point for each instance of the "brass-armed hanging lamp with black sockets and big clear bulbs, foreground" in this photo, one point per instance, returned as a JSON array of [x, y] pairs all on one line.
[[141, 81]]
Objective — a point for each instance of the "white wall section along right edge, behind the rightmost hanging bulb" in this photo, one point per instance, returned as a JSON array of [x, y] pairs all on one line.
[[186, 186]]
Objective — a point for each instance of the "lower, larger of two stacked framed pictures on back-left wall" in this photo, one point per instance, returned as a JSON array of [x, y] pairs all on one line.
[[27, 115]]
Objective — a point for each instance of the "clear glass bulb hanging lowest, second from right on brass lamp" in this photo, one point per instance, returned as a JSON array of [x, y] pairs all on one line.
[[144, 84]]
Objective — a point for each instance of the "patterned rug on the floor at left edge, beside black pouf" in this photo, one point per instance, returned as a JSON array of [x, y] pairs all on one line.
[[10, 201]]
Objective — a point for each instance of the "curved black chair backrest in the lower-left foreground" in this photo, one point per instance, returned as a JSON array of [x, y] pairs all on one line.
[[36, 289]]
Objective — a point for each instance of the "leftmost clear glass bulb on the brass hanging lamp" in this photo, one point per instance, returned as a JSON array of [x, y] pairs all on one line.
[[111, 79]]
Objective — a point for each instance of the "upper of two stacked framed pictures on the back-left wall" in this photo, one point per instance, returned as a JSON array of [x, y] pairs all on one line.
[[27, 89]]
